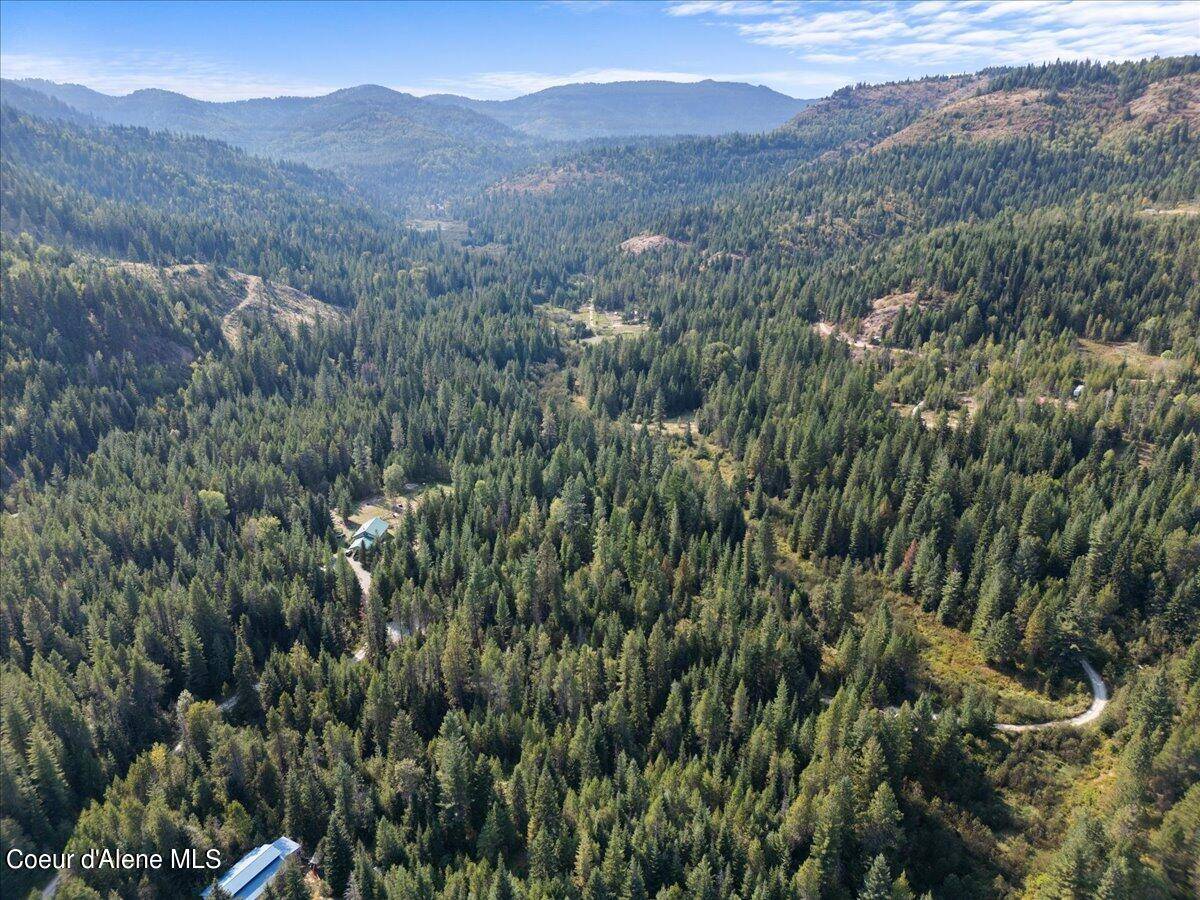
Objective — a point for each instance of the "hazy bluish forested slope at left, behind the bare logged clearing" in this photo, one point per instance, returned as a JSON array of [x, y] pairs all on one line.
[[161, 199]]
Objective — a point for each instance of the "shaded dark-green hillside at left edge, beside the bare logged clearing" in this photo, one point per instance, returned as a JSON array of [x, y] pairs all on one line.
[[83, 349]]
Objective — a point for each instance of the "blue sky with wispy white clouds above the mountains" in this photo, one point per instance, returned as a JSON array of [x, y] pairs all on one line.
[[232, 51]]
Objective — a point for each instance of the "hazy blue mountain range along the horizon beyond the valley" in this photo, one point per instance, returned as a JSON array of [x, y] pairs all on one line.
[[409, 151]]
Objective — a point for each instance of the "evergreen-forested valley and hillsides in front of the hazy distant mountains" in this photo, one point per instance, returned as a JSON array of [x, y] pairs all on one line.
[[740, 488]]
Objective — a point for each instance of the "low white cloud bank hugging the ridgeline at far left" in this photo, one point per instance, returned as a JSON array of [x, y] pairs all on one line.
[[123, 73]]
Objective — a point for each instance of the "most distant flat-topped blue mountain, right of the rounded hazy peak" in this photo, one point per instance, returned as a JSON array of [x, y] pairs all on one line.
[[575, 112]]
